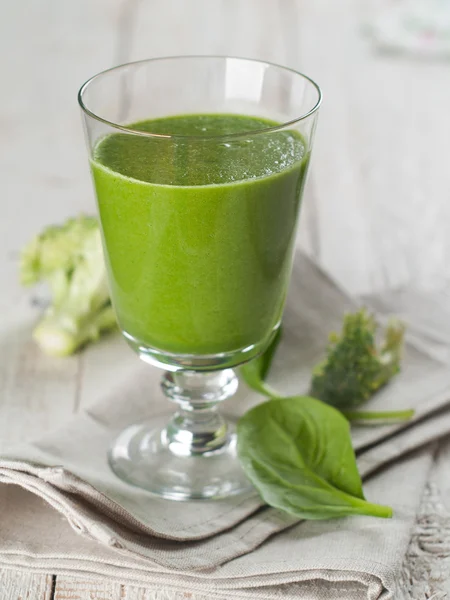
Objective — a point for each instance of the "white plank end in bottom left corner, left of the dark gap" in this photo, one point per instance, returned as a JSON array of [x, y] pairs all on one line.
[[20, 585]]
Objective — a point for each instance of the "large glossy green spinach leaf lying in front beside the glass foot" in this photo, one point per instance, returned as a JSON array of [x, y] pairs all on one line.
[[298, 453]]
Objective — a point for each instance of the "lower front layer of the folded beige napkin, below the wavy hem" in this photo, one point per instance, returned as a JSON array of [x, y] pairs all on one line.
[[345, 559]]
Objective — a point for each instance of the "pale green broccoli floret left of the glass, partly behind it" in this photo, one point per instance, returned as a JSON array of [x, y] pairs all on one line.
[[69, 258]]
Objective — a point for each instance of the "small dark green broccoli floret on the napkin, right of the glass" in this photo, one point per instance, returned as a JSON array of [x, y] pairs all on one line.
[[355, 367]]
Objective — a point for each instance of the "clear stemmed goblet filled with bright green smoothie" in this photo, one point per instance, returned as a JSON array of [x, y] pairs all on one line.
[[199, 165]]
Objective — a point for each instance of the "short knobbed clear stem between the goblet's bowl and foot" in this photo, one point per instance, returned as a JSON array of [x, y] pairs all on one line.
[[197, 427]]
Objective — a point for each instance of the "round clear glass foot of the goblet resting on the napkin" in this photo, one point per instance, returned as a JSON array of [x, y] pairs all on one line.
[[146, 456]]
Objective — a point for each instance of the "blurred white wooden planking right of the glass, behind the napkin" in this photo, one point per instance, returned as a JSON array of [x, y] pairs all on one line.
[[379, 166]]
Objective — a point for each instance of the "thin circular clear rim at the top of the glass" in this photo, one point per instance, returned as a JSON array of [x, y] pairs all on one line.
[[132, 131]]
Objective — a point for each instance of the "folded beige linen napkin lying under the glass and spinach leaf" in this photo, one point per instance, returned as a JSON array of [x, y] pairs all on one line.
[[201, 548]]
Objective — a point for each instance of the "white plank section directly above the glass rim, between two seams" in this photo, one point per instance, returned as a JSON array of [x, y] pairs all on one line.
[[254, 28]]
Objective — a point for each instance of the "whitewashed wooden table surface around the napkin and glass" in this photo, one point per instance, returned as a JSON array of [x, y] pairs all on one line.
[[377, 210]]
